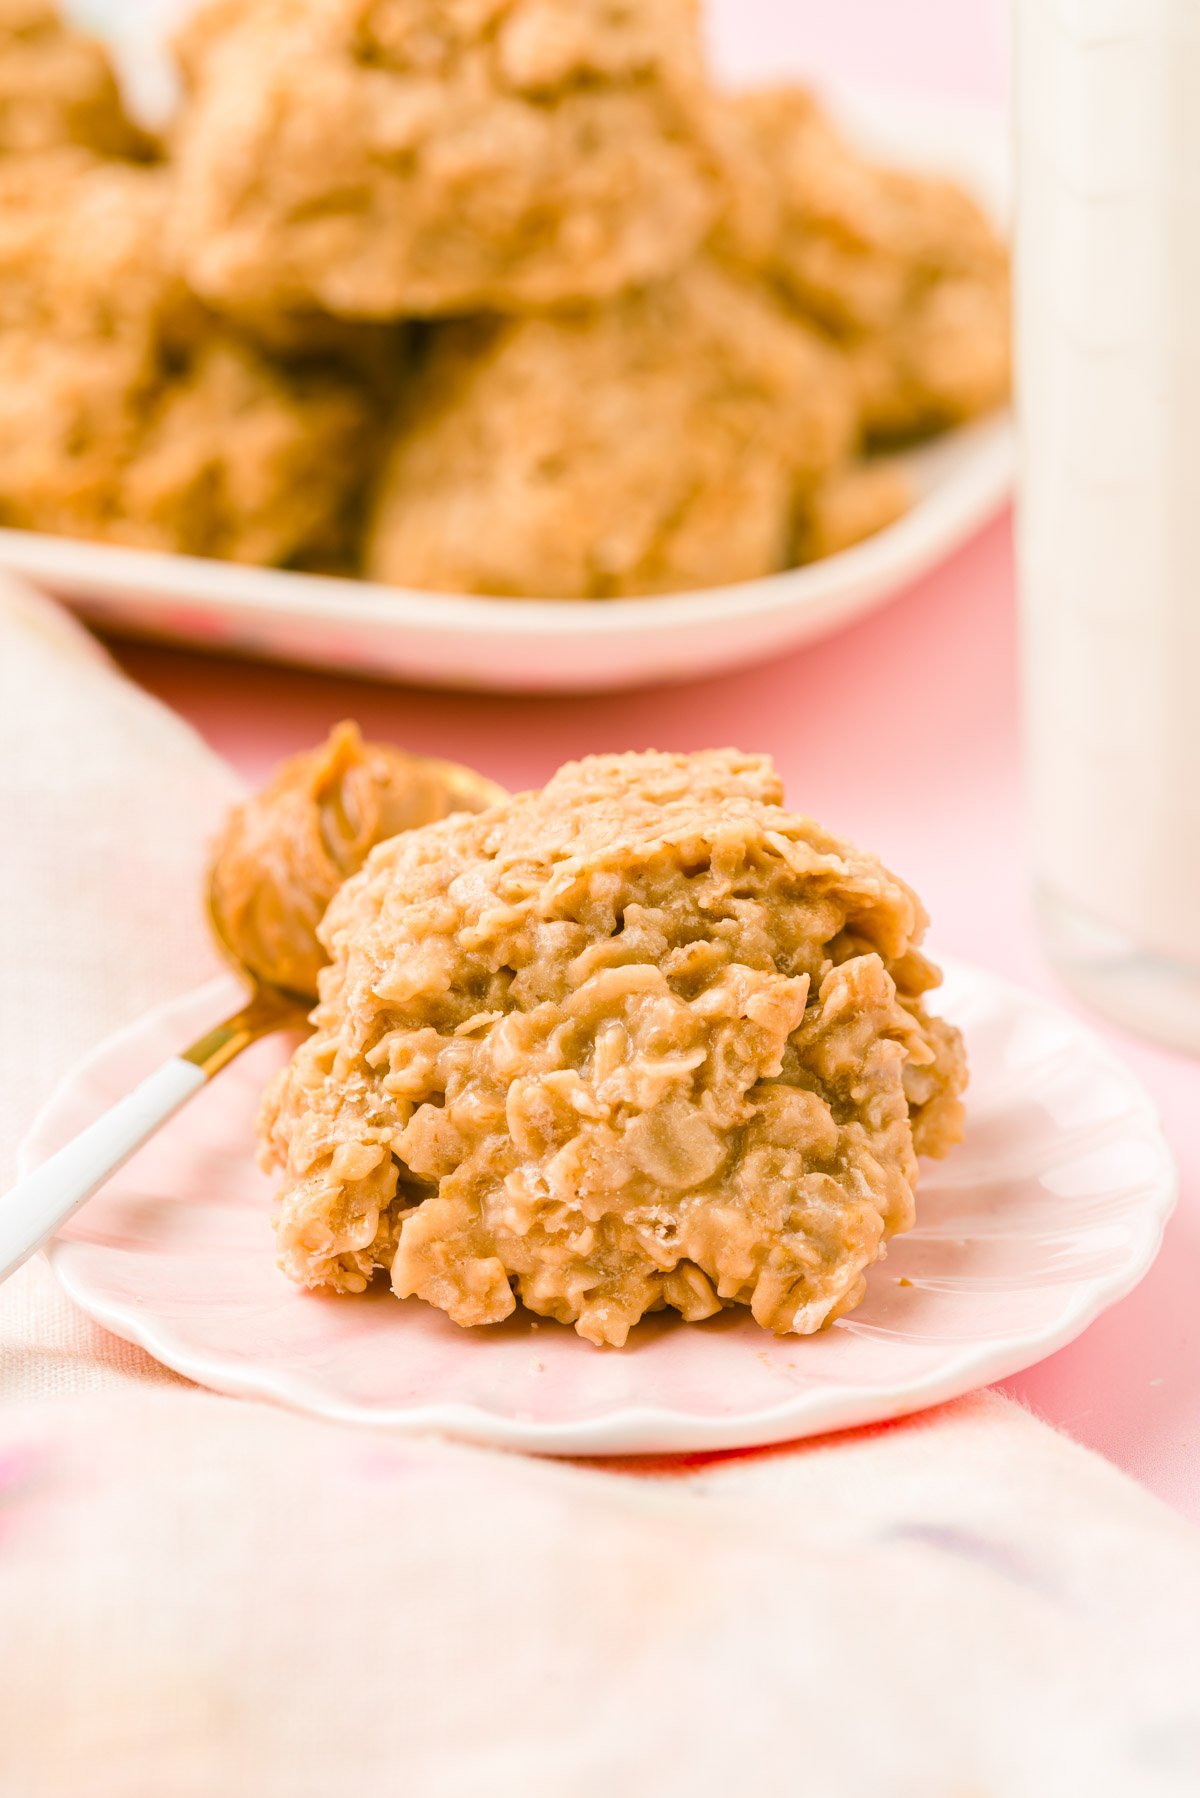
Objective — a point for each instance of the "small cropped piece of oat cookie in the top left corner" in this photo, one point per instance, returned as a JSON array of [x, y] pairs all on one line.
[[58, 87]]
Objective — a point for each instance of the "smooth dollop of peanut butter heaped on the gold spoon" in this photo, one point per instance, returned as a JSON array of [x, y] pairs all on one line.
[[285, 851]]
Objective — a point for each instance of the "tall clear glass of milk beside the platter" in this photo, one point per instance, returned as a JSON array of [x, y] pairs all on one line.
[[1109, 526]]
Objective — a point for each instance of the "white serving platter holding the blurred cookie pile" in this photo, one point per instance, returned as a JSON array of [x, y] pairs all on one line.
[[571, 646]]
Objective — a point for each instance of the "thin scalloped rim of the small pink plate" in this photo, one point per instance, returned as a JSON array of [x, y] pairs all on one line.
[[652, 1429]]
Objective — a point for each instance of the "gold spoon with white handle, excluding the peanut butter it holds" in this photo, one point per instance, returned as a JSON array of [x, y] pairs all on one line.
[[42, 1202]]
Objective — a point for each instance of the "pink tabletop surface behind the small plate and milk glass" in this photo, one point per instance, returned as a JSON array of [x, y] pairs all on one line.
[[900, 733]]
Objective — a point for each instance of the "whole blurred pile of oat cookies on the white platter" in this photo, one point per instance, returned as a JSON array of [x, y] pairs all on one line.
[[472, 296]]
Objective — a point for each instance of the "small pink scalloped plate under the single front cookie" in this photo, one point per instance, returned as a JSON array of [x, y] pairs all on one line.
[[1050, 1213]]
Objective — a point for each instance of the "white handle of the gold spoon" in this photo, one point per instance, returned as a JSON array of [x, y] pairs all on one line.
[[42, 1204]]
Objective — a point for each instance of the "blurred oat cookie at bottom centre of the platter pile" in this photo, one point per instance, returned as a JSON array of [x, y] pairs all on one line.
[[654, 445]]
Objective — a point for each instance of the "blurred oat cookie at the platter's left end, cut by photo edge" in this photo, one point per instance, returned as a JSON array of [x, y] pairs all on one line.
[[127, 413]]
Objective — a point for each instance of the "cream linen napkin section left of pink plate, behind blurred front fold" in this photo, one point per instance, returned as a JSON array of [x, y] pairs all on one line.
[[107, 806]]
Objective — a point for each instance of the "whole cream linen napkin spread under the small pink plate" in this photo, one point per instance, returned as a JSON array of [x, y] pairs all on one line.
[[208, 1596]]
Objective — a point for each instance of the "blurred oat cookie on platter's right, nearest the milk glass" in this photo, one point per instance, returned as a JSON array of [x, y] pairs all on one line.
[[902, 271]]
